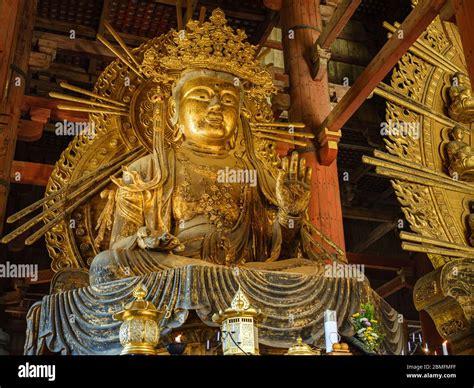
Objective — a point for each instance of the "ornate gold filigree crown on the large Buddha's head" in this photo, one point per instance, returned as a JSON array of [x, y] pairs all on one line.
[[211, 45]]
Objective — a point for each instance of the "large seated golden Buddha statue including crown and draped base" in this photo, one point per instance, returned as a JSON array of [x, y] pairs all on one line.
[[210, 209]]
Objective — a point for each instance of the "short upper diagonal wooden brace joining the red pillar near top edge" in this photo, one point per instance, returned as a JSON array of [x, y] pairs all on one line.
[[344, 11]]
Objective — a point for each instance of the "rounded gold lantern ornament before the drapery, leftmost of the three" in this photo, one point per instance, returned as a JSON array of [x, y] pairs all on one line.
[[140, 331]]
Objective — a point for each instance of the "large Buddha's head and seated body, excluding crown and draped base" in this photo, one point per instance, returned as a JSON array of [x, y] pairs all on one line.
[[197, 215]]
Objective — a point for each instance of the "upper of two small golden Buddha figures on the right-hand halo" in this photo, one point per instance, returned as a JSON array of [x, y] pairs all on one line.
[[462, 101]]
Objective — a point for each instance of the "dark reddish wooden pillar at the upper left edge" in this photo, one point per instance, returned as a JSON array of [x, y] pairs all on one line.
[[16, 32]]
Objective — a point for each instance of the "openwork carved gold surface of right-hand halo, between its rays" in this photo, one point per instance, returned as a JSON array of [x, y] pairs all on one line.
[[431, 210]]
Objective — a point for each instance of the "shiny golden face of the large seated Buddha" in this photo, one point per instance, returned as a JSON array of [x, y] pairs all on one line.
[[208, 111]]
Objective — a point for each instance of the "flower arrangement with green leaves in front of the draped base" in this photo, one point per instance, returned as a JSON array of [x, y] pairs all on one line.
[[366, 327]]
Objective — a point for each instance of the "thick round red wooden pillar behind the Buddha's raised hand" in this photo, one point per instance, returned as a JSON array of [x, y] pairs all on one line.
[[301, 26]]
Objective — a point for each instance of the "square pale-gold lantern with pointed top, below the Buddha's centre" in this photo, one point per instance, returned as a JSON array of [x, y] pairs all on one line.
[[238, 325]]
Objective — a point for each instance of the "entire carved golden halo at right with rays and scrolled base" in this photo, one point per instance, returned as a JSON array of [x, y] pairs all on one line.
[[425, 166]]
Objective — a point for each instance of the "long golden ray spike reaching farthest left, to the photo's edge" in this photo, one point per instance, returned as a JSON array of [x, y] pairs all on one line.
[[94, 181]]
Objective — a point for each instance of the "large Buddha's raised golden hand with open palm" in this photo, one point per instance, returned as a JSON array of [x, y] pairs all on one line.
[[293, 185]]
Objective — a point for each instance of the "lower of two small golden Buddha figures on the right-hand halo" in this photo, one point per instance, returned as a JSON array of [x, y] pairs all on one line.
[[460, 156]]
